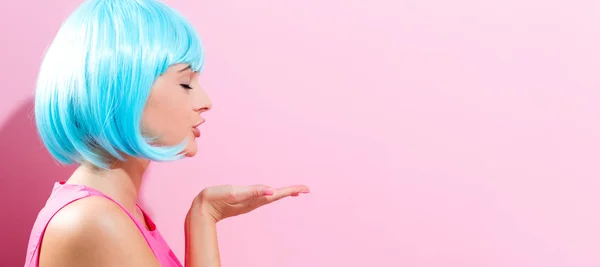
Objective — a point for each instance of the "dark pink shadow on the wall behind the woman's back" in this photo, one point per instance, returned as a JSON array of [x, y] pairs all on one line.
[[28, 175]]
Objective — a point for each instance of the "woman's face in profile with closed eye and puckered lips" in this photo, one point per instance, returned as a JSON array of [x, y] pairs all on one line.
[[174, 108]]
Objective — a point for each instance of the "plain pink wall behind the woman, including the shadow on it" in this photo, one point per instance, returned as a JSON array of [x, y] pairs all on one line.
[[432, 132]]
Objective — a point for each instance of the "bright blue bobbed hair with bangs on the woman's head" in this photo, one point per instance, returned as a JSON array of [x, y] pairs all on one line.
[[97, 74]]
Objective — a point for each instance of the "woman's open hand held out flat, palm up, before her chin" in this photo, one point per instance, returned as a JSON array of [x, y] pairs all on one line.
[[220, 202]]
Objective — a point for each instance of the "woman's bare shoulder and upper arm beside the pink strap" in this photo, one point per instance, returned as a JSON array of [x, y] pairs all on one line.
[[94, 230]]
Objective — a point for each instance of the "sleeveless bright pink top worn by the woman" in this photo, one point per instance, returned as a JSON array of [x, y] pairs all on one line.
[[64, 194]]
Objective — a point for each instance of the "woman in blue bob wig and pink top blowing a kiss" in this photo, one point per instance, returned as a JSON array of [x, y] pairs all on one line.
[[118, 89]]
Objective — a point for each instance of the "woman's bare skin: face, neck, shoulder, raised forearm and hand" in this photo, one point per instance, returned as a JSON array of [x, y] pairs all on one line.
[[95, 232]]
